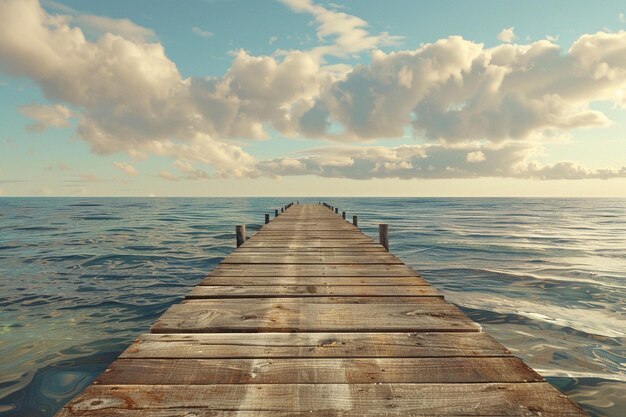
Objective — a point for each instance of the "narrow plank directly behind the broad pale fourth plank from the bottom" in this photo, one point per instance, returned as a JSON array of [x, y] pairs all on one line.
[[263, 291]]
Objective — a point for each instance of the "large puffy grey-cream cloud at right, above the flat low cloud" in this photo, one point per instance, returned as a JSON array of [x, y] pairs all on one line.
[[456, 90]]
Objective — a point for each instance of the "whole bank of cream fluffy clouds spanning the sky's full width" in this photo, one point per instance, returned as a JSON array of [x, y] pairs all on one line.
[[128, 96]]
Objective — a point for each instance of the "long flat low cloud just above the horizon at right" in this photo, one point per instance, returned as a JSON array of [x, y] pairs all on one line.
[[508, 160]]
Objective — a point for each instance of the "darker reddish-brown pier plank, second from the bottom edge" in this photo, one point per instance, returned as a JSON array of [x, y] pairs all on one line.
[[317, 371]]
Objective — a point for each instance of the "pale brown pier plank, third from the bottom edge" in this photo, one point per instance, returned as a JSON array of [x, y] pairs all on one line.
[[314, 345]]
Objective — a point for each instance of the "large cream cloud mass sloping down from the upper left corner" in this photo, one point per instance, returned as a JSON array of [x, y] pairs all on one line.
[[130, 94]]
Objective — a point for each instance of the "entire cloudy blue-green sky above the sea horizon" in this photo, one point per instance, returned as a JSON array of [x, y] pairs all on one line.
[[311, 98]]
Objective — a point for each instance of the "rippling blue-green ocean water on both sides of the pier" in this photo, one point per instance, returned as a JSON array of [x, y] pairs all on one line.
[[81, 278]]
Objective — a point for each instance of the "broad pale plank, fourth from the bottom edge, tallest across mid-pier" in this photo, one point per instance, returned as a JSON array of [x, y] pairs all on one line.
[[284, 315]]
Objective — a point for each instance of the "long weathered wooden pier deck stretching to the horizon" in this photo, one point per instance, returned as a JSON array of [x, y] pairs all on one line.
[[310, 317]]
